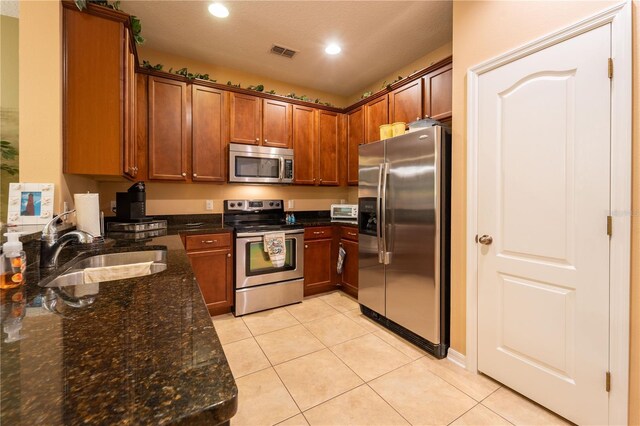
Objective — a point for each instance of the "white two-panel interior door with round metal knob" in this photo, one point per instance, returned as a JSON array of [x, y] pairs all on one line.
[[544, 197]]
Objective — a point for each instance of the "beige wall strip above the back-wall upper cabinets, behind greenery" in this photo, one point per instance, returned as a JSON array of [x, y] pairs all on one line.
[[222, 75]]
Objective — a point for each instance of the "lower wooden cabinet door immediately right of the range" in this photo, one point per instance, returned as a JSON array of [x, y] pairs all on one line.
[[317, 266]]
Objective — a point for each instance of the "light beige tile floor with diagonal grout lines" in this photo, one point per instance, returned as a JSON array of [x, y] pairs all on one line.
[[321, 362]]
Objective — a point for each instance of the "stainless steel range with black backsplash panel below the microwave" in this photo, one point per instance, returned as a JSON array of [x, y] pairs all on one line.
[[259, 283]]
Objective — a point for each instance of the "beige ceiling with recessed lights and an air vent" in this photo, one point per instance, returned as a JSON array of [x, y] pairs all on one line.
[[377, 37]]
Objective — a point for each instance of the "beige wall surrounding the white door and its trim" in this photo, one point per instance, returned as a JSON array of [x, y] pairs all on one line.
[[481, 31]]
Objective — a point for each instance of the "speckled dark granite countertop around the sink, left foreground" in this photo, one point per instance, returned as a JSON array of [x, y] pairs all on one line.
[[144, 352]]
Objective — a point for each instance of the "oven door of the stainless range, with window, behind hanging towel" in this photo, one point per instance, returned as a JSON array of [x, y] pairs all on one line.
[[253, 266]]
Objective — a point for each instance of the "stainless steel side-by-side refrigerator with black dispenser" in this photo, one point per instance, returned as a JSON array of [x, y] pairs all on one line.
[[404, 235]]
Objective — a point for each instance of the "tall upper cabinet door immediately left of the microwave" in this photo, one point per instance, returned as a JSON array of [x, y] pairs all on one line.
[[207, 134]]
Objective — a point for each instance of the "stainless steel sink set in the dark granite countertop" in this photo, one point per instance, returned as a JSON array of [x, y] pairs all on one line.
[[111, 267]]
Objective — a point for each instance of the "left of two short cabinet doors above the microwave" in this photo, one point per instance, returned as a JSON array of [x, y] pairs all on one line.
[[244, 120]]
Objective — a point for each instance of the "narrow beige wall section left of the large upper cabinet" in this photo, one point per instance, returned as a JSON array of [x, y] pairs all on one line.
[[41, 99]]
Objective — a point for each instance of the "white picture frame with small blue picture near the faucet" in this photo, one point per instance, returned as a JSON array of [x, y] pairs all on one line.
[[30, 203]]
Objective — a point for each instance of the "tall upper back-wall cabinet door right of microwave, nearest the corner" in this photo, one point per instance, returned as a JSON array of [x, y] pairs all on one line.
[[328, 137]]
